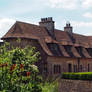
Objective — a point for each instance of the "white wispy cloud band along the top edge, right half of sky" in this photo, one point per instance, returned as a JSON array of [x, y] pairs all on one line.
[[70, 4]]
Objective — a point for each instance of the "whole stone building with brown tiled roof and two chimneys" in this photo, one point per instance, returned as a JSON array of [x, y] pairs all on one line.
[[61, 51]]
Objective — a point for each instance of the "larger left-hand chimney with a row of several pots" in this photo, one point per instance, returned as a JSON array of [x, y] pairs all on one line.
[[48, 23]]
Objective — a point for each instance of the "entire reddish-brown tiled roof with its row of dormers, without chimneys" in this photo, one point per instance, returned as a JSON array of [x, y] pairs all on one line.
[[31, 31]]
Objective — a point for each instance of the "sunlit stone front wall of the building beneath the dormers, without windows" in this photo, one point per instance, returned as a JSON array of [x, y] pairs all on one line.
[[64, 62]]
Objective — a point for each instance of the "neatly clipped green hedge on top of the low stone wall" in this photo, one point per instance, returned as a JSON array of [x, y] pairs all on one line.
[[77, 76]]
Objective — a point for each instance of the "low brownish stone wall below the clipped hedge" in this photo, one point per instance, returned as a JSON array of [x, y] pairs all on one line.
[[75, 86]]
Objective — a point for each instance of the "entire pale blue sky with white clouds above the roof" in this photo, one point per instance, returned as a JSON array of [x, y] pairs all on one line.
[[78, 12]]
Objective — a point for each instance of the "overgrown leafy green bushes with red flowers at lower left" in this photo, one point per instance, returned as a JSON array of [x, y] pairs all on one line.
[[18, 72]]
